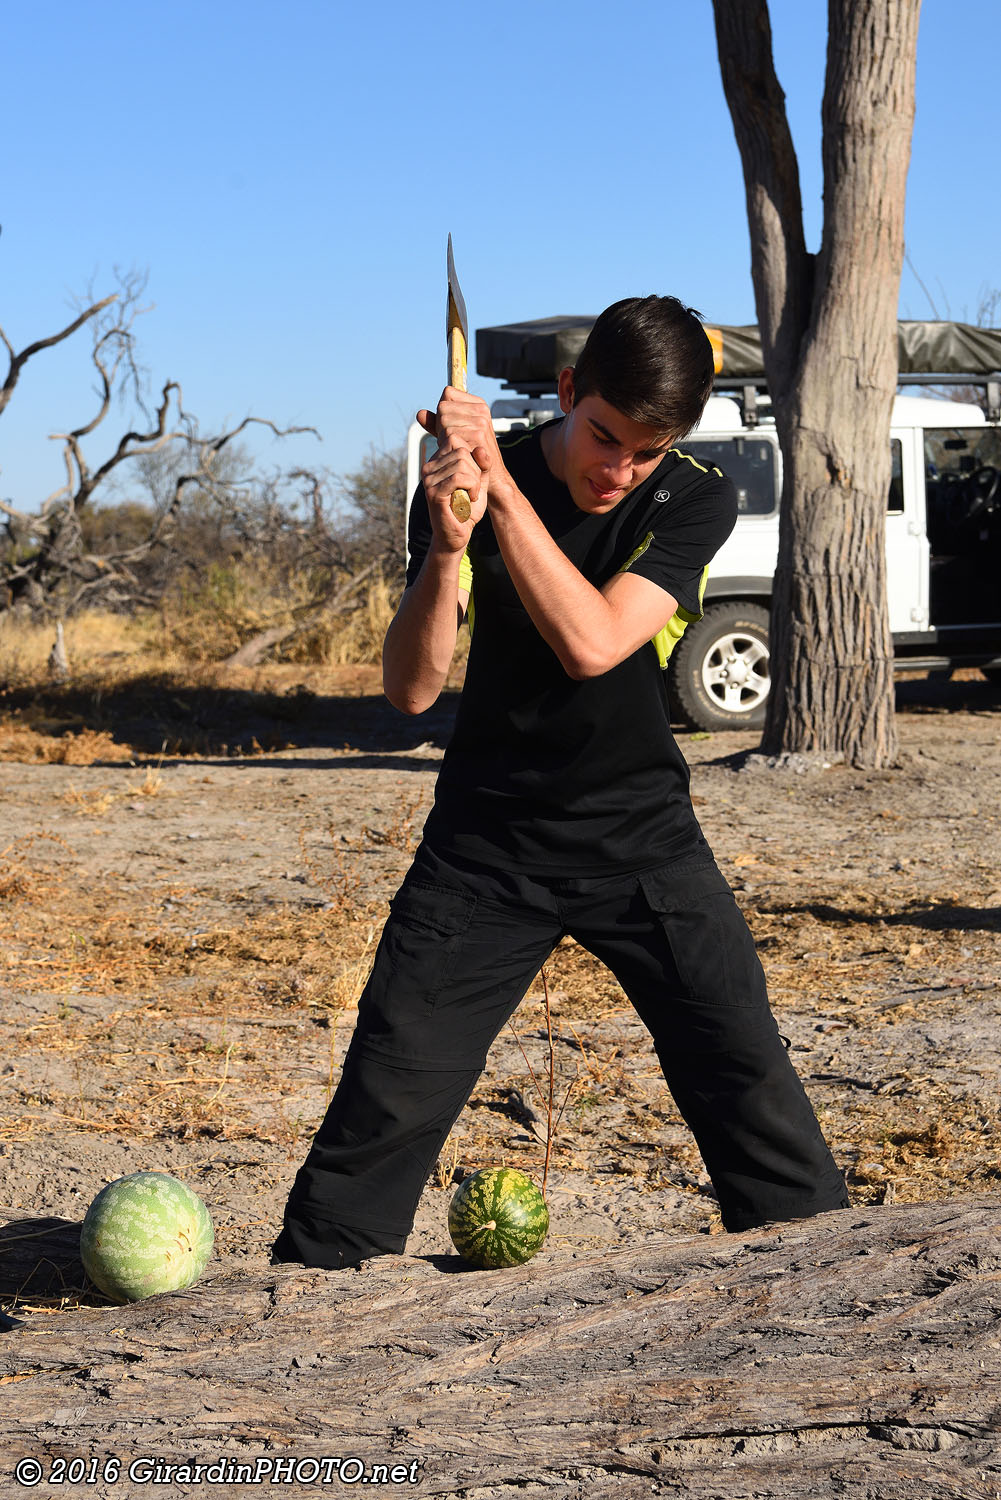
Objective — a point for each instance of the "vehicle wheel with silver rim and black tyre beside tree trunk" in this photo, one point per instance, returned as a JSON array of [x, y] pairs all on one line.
[[720, 668]]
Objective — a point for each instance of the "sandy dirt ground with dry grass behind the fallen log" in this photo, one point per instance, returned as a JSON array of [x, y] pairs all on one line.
[[191, 887]]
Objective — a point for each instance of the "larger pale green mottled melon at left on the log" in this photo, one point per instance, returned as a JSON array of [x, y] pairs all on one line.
[[145, 1234]]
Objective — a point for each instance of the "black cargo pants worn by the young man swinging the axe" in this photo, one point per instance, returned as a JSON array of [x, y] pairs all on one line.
[[457, 956]]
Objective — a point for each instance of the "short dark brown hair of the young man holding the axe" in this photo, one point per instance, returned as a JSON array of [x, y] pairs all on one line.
[[651, 359]]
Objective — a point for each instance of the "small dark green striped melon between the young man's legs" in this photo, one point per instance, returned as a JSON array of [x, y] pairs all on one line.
[[499, 1219]]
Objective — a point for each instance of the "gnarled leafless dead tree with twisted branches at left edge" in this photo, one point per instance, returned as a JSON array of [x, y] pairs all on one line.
[[47, 556]]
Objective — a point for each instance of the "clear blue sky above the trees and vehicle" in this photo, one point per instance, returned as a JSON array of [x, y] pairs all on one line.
[[289, 175]]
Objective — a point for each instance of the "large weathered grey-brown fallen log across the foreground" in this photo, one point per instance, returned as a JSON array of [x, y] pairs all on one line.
[[858, 1354]]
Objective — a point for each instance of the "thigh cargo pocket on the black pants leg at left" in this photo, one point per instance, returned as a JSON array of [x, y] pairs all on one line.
[[424, 938]]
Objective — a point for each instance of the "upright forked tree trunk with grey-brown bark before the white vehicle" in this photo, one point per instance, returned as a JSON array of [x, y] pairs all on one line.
[[829, 343]]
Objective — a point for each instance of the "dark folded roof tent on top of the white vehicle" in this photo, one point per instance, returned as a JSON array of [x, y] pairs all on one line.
[[529, 356]]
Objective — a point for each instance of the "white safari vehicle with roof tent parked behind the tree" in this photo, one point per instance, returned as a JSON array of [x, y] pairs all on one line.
[[943, 508]]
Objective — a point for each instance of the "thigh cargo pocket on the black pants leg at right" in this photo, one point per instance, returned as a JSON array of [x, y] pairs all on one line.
[[709, 938]]
